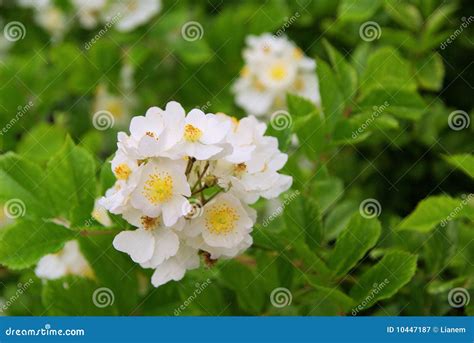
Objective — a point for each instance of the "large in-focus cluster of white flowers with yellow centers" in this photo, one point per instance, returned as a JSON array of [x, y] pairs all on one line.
[[186, 183]]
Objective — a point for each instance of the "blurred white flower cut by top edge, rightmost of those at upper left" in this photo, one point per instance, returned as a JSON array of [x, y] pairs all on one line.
[[132, 13]]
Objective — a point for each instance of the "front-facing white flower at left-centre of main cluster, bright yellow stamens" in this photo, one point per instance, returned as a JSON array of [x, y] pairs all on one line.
[[162, 190]]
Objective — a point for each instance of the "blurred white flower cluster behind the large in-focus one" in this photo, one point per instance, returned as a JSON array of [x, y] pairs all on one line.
[[273, 67]]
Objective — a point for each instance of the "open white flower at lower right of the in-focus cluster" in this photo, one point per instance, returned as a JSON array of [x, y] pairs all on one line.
[[224, 224]]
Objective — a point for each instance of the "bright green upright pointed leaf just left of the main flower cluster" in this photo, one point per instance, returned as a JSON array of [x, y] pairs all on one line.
[[71, 181]]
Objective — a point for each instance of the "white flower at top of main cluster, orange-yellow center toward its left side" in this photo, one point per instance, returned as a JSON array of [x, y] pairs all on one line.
[[202, 135]]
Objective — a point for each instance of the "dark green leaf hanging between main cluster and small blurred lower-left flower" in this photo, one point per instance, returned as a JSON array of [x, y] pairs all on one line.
[[113, 270]]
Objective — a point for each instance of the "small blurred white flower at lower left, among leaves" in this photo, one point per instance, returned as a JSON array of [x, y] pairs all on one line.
[[68, 261]]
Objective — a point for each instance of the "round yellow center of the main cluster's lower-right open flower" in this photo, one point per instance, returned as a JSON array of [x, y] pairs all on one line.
[[221, 219]]
